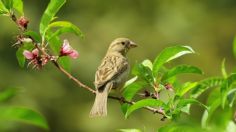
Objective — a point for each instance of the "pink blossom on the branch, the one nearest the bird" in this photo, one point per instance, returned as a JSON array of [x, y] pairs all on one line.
[[67, 50]]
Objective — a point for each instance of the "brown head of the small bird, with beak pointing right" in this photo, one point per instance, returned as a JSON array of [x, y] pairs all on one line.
[[121, 45]]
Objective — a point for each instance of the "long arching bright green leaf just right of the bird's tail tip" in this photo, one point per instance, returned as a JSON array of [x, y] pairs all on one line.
[[144, 103]]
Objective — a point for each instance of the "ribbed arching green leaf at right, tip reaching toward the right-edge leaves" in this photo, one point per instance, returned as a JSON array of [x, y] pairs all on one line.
[[205, 84]]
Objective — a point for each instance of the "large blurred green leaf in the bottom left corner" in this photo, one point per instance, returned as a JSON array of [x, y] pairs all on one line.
[[23, 115]]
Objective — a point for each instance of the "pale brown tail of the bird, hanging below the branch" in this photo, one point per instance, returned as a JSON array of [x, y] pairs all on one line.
[[99, 108]]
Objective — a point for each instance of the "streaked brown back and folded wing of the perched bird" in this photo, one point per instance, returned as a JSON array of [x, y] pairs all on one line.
[[111, 67]]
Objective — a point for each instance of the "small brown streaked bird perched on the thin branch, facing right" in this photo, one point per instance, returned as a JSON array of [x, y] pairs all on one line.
[[111, 74]]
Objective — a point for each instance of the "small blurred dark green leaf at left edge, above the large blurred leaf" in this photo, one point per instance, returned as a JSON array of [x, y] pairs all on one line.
[[7, 94]]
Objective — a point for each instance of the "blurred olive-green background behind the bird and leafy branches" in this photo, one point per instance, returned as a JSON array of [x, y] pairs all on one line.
[[206, 25]]
